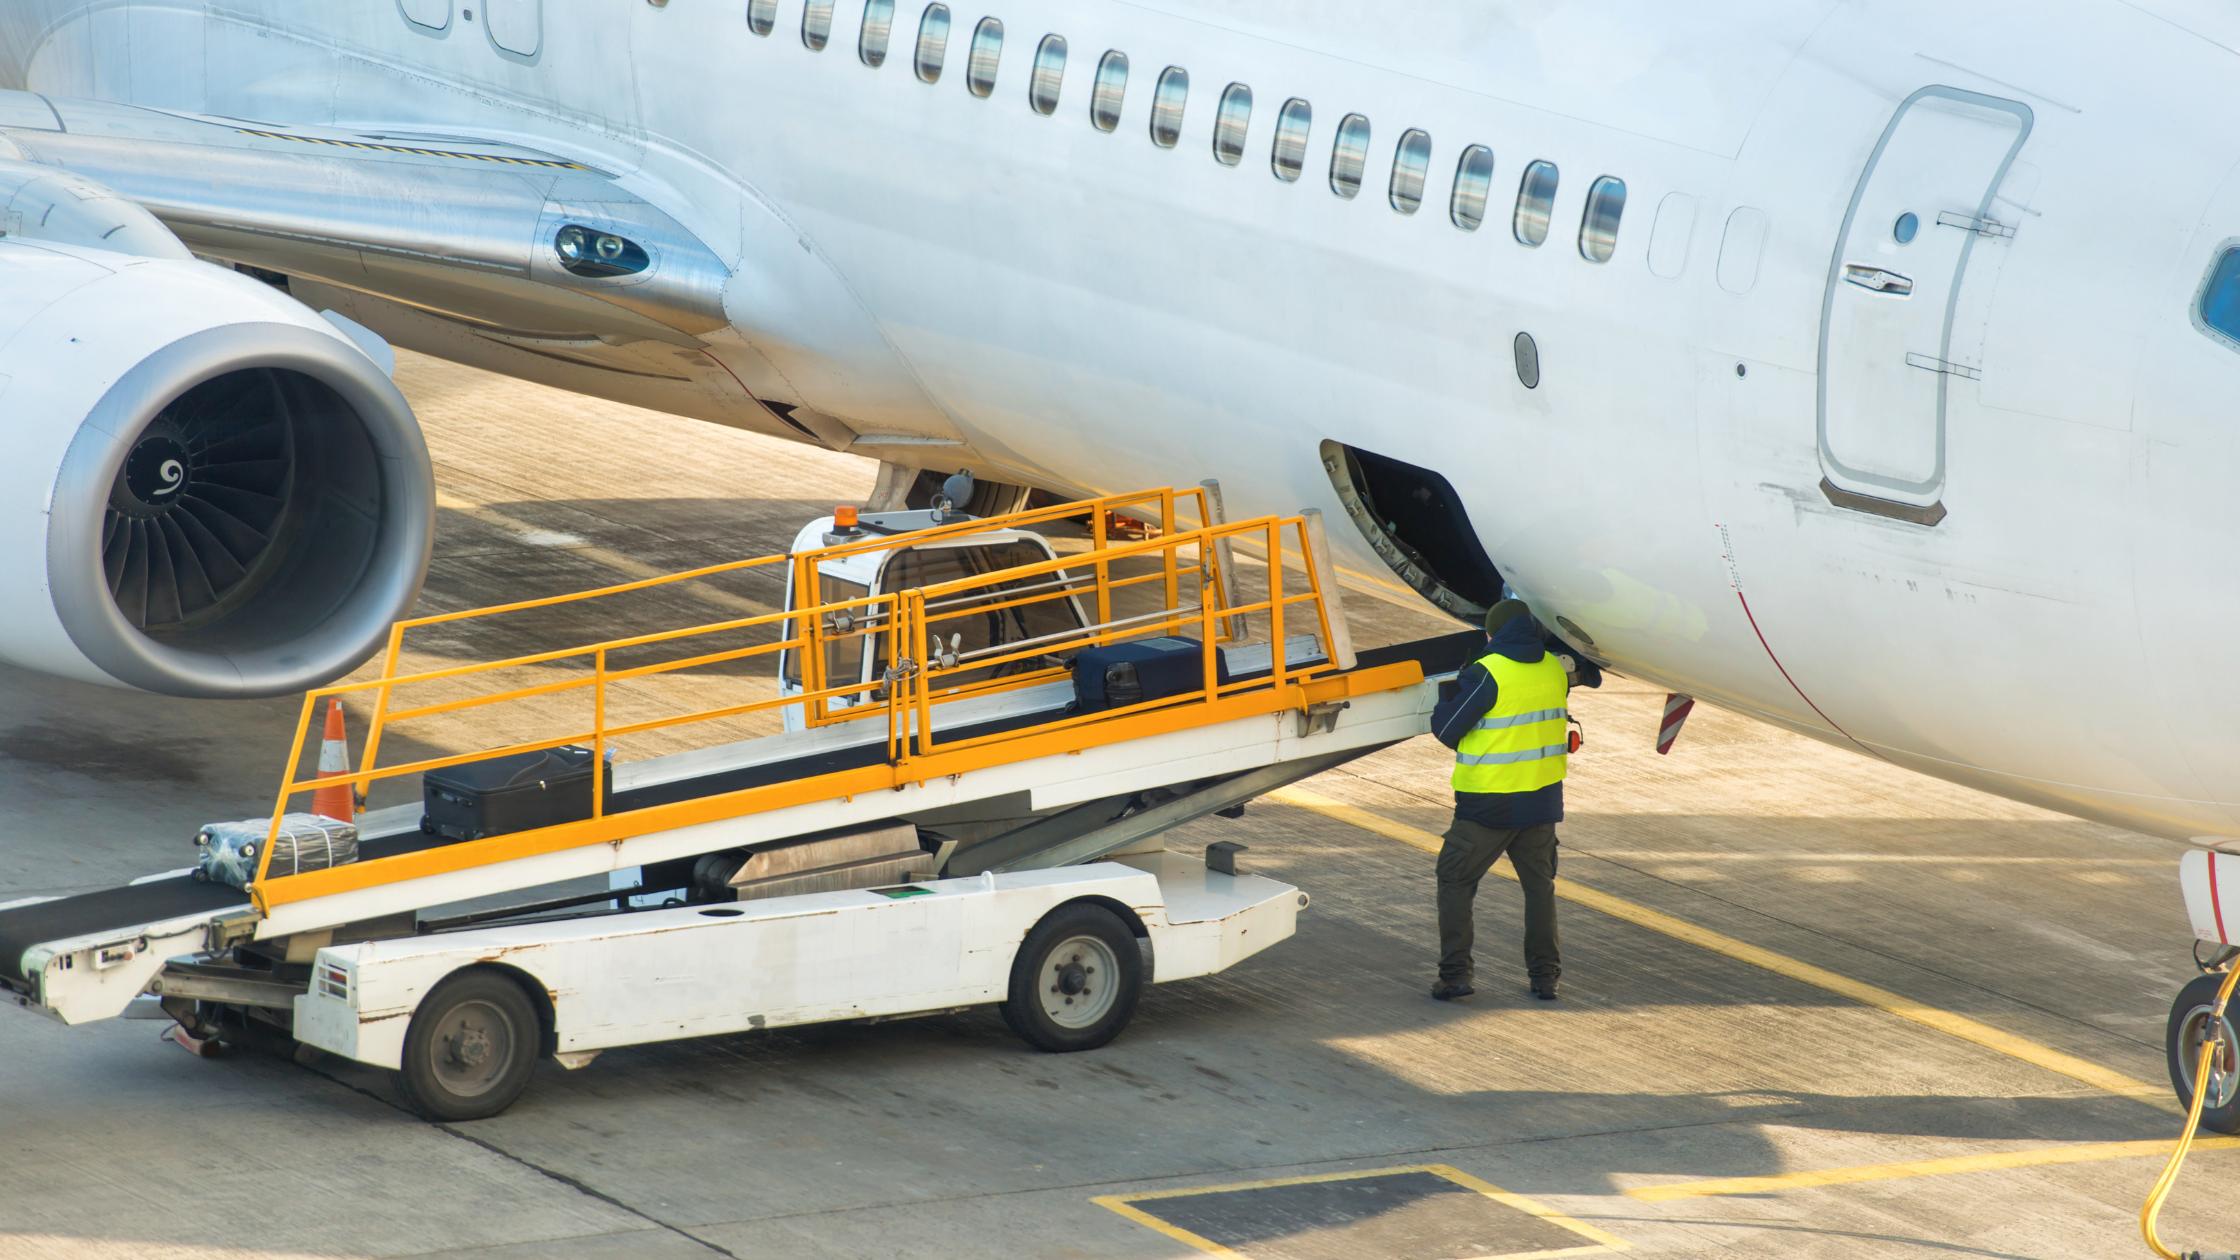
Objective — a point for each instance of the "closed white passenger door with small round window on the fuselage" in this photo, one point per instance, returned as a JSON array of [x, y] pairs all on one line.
[[1887, 353]]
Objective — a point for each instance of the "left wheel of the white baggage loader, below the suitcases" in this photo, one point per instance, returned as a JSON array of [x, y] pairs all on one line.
[[472, 1048]]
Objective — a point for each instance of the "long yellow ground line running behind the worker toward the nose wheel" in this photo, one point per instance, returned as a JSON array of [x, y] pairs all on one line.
[[1782, 965]]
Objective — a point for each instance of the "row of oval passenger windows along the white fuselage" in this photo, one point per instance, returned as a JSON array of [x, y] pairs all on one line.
[[1287, 158]]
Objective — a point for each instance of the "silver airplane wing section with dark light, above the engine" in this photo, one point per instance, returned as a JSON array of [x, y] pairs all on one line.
[[451, 225]]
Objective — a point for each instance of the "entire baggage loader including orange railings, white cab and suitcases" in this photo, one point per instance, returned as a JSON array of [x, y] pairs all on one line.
[[940, 824]]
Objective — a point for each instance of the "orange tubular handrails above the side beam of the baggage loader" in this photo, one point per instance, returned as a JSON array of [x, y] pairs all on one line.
[[899, 622]]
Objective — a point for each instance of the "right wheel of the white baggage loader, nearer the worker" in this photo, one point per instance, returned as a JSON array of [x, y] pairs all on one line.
[[1076, 981]]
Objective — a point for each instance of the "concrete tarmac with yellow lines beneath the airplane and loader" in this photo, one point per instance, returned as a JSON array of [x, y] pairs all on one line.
[[1923, 1019]]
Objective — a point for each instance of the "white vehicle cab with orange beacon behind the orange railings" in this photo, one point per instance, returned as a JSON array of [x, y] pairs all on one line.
[[967, 627]]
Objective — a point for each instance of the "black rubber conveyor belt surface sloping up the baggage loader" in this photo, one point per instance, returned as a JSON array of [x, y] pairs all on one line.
[[120, 909]]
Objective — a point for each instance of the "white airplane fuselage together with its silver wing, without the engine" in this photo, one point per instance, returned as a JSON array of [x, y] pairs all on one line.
[[1959, 501]]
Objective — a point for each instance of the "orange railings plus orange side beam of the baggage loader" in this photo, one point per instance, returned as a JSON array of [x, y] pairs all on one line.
[[902, 629]]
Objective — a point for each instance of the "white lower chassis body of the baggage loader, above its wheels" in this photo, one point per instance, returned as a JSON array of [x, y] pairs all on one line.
[[790, 961]]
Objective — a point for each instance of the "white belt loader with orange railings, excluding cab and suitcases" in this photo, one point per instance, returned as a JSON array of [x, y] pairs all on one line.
[[1016, 797]]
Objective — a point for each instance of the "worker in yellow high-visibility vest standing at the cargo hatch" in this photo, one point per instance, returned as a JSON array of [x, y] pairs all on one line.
[[1511, 734]]
